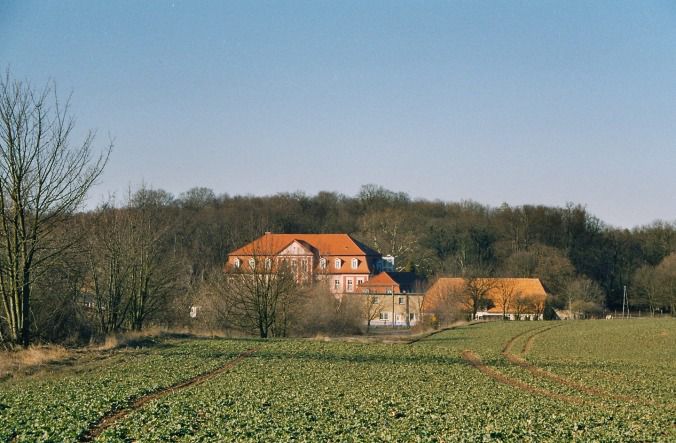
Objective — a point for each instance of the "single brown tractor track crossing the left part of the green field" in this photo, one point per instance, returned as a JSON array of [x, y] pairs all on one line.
[[113, 417]]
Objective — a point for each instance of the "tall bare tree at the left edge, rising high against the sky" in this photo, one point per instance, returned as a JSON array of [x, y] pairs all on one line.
[[42, 179]]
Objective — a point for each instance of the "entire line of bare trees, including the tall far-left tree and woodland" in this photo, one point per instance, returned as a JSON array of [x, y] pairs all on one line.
[[146, 258]]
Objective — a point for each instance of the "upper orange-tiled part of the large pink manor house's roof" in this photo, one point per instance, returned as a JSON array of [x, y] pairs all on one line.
[[326, 245]]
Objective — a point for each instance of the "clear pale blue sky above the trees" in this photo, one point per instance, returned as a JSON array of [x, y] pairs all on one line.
[[518, 102]]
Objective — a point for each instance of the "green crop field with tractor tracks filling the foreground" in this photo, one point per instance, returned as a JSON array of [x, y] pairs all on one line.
[[503, 381]]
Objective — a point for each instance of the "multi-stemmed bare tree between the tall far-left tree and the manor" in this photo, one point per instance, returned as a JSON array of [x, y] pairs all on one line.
[[133, 272]]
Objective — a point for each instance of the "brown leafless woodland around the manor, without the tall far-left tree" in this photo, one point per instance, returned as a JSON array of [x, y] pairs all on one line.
[[147, 260]]
